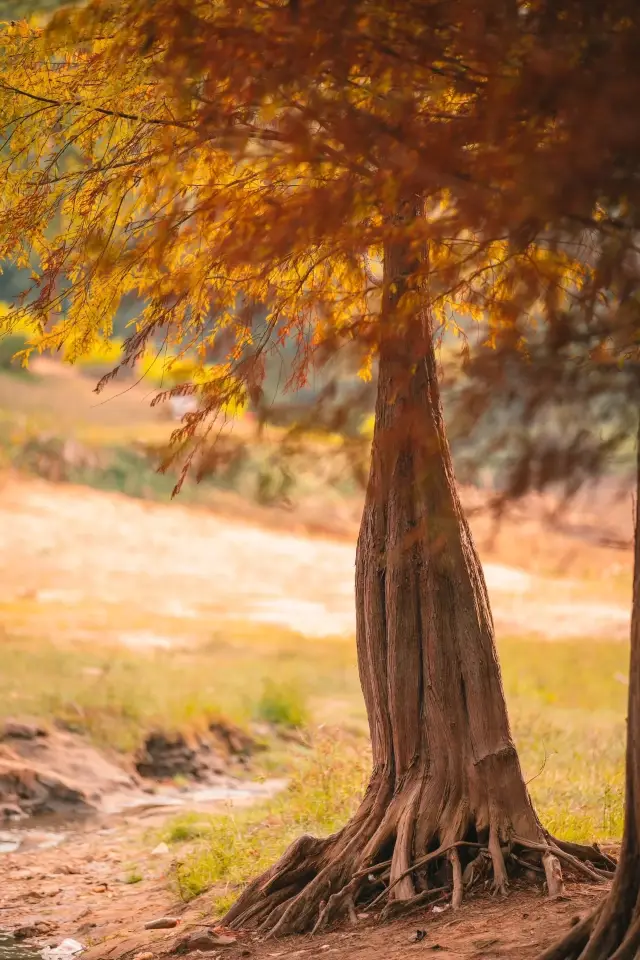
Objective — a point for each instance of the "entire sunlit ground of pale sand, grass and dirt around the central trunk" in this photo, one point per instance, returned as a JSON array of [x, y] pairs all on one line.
[[119, 614]]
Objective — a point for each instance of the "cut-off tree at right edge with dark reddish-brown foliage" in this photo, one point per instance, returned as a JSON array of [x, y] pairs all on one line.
[[571, 179]]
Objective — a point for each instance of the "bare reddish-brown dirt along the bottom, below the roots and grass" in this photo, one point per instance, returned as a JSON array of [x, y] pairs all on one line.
[[87, 896]]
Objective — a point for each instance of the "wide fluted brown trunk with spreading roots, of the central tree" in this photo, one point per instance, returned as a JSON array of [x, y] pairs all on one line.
[[446, 800]]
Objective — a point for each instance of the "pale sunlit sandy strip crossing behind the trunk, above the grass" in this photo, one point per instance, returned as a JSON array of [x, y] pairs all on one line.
[[81, 562]]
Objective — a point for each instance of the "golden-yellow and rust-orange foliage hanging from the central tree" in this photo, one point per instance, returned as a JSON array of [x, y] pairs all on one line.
[[283, 190]]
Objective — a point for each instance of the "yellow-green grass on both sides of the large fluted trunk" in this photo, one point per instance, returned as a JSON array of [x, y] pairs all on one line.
[[567, 703]]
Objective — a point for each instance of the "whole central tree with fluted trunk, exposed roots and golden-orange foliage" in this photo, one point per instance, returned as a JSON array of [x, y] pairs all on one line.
[[248, 153]]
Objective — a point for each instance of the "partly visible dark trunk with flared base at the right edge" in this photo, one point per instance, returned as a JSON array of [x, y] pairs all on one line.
[[613, 931]]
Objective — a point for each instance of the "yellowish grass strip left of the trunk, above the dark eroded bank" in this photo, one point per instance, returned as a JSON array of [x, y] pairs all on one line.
[[115, 695]]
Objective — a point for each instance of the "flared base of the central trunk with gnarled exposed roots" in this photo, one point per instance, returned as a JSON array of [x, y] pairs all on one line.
[[408, 846]]
